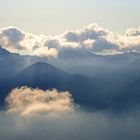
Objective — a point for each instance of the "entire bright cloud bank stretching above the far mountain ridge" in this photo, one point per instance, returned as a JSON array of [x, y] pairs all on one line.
[[92, 38]]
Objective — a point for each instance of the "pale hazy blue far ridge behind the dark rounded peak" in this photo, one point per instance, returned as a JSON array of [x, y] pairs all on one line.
[[73, 61]]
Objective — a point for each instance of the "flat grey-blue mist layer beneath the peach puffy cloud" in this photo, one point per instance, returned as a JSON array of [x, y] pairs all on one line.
[[74, 126]]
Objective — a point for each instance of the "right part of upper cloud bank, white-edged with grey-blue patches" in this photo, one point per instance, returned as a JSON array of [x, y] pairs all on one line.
[[101, 41]]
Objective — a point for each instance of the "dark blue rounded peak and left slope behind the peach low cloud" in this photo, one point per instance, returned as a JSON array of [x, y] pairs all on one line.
[[38, 75]]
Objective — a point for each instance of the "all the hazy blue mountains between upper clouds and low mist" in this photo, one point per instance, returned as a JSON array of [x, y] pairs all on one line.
[[117, 88]]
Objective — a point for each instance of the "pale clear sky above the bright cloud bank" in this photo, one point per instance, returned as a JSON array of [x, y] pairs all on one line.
[[51, 17]]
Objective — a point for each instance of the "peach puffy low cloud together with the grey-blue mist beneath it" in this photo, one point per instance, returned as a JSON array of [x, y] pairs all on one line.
[[24, 119]]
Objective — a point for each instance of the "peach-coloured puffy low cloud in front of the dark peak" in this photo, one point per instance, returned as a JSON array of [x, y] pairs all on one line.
[[27, 101]]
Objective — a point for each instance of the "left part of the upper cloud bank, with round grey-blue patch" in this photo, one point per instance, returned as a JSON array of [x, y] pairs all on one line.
[[17, 41]]
